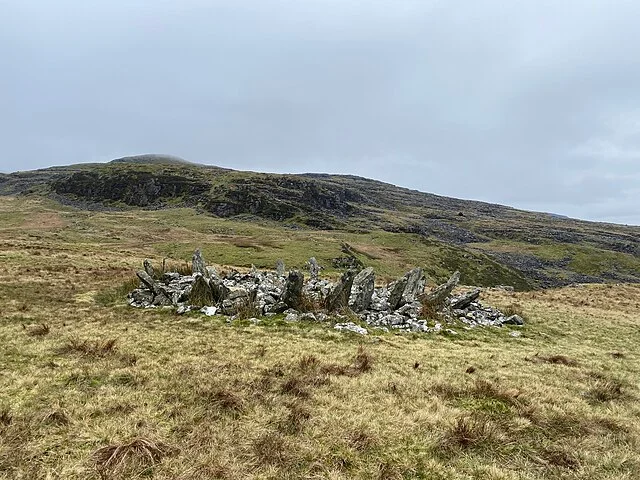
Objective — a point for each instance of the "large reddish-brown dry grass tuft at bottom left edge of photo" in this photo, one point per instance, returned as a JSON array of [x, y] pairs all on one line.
[[130, 459]]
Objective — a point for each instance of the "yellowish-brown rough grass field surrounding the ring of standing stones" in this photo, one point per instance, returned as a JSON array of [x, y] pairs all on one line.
[[93, 389]]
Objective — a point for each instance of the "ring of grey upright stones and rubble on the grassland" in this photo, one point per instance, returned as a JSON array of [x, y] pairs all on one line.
[[401, 305]]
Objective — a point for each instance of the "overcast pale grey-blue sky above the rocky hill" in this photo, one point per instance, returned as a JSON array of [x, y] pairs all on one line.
[[528, 103]]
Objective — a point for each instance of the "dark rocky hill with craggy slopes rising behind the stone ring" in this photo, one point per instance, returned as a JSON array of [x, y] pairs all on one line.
[[491, 244]]
